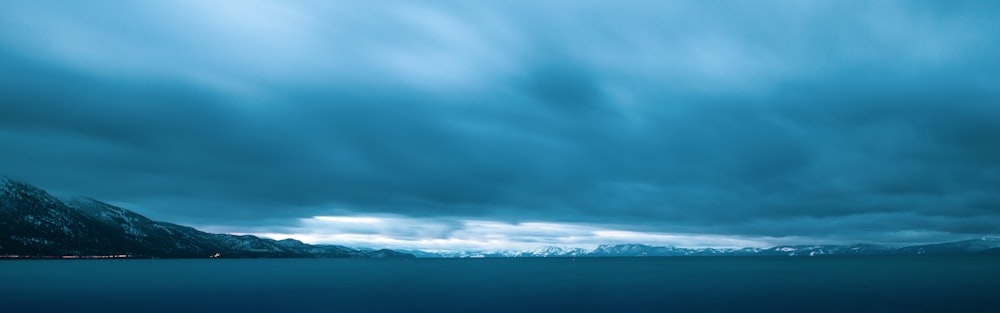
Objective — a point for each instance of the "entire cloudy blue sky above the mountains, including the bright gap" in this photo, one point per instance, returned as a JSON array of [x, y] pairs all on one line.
[[455, 125]]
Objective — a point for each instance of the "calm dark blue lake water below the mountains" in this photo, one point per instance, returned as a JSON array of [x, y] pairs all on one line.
[[685, 284]]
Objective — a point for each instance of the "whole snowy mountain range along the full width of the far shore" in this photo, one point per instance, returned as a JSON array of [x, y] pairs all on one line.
[[34, 223]]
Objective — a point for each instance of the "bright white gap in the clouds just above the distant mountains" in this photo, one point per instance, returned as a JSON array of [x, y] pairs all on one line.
[[397, 232]]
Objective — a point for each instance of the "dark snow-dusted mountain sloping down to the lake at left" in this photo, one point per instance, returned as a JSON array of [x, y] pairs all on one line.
[[34, 223]]
